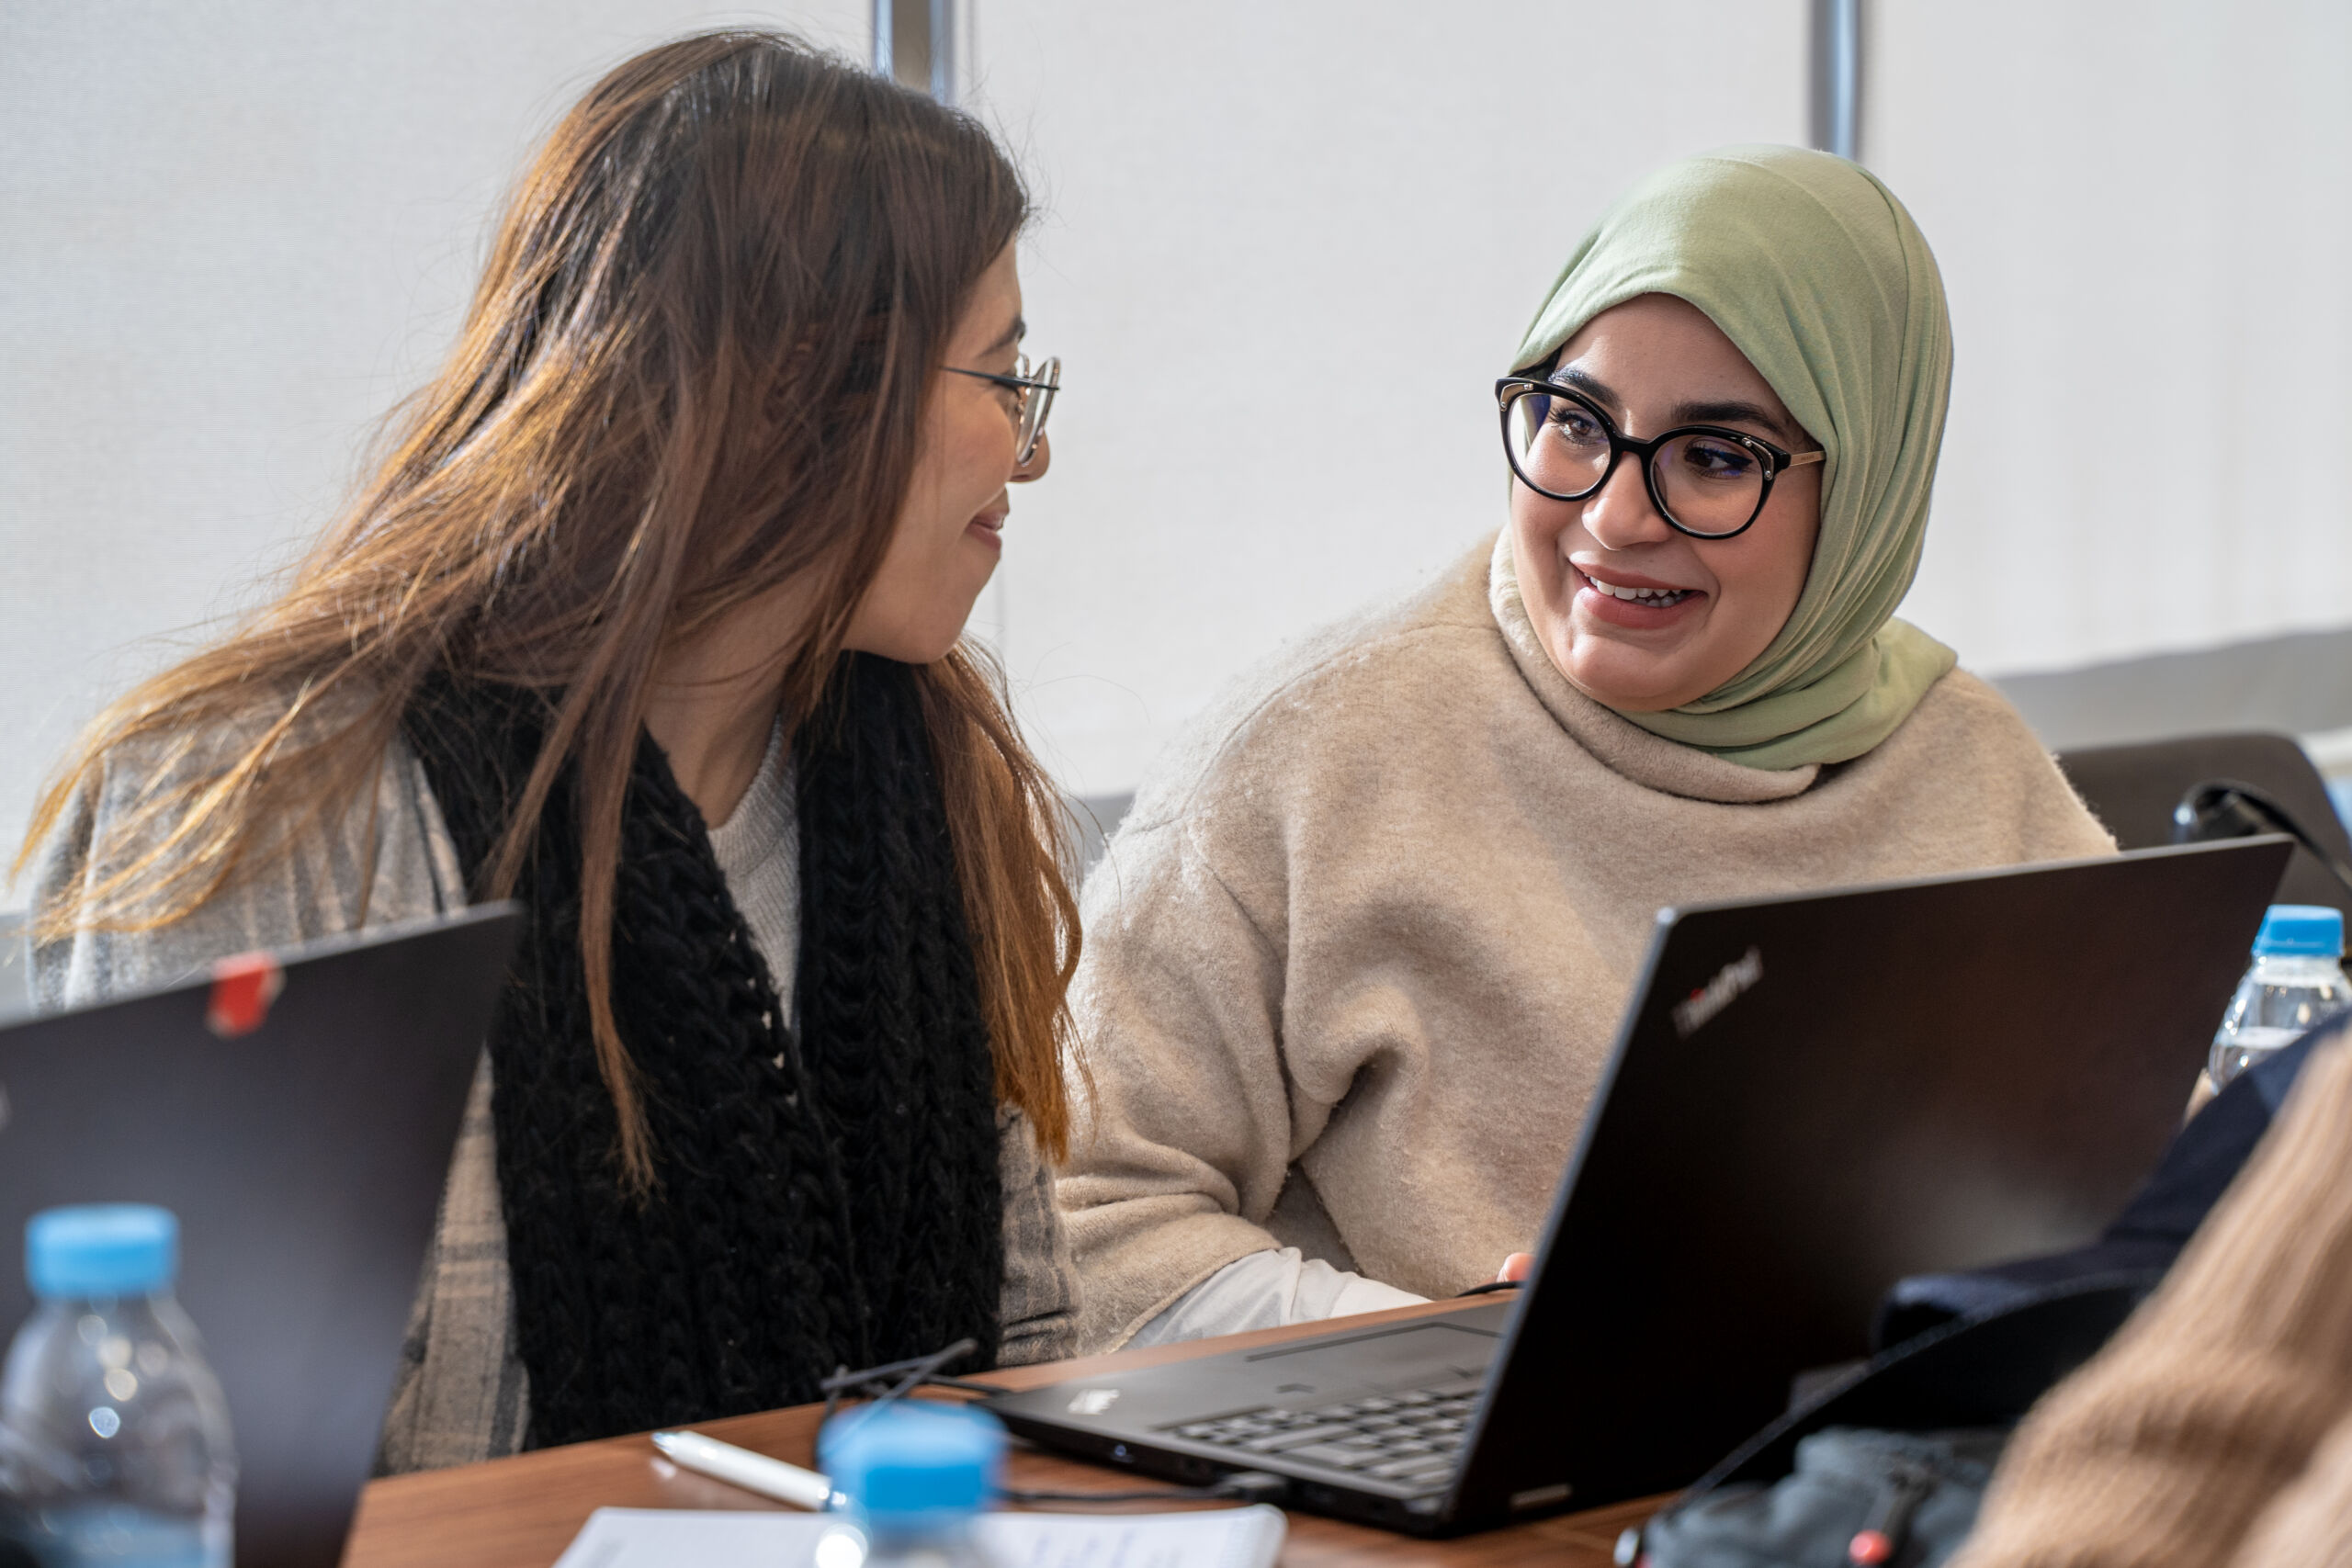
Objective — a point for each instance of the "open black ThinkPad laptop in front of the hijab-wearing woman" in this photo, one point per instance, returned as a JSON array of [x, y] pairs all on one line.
[[1810, 1099]]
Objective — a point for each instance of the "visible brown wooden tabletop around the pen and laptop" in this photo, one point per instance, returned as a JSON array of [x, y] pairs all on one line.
[[526, 1510]]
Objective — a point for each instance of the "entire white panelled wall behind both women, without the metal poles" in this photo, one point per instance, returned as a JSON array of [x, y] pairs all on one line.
[[1285, 253]]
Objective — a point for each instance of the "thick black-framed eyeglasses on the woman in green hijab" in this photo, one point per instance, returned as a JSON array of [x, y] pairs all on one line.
[[1706, 481]]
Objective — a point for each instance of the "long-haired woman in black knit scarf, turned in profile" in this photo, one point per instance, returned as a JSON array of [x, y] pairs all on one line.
[[653, 619]]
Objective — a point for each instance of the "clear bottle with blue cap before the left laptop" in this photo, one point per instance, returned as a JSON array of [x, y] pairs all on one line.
[[114, 1435]]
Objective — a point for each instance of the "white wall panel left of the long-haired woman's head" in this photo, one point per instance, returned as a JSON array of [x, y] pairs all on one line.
[[232, 236]]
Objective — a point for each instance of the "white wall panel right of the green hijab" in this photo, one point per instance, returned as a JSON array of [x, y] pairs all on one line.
[[2144, 215]]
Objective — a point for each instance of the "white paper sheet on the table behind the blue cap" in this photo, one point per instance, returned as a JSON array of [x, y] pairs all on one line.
[[681, 1539]]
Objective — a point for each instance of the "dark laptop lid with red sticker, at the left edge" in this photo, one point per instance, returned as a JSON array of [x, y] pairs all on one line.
[[298, 1115]]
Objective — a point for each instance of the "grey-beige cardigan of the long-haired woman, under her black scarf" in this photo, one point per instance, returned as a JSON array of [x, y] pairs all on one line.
[[462, 1393]]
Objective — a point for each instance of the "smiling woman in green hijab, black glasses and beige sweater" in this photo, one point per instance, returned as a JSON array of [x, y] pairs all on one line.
[[1356, 958]]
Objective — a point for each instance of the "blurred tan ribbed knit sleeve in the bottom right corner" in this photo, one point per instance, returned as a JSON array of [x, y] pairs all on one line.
[[2219, 1426]]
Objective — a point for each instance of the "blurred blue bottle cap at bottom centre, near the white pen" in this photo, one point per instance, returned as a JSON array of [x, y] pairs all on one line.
[[914, 1463]]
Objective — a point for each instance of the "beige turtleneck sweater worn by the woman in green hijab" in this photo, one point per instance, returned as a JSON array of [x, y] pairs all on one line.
[[1356, 958]]
